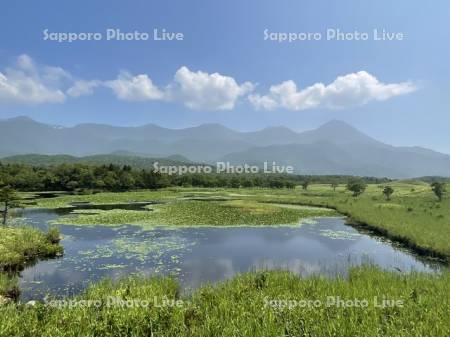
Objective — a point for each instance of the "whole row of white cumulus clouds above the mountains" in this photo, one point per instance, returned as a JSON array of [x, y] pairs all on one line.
[[29, 83]]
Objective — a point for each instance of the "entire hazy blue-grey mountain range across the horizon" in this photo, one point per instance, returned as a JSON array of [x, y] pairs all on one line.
[[334, 148]]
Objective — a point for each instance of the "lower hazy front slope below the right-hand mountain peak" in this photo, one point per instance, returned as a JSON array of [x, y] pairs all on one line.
[[355, 159]]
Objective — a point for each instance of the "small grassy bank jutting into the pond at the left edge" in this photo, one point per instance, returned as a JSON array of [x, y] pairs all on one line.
[[21, 245]]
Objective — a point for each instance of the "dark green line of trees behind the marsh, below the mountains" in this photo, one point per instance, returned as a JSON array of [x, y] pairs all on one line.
[[73, 177]]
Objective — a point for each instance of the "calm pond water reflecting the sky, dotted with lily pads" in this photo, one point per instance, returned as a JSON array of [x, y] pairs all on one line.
[[205, 254]]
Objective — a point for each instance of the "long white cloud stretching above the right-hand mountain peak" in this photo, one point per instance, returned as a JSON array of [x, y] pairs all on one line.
[[346, 91]]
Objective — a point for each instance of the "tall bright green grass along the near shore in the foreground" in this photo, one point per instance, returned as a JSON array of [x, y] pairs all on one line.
[[248, 305]]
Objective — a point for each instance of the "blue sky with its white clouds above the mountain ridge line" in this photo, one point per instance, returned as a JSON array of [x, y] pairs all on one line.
[[402, 87]]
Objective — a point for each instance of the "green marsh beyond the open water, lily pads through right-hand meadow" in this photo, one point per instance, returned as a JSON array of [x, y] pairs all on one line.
[[412, 215]]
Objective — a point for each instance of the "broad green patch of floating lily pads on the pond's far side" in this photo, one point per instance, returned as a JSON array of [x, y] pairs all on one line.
[[199, 213]]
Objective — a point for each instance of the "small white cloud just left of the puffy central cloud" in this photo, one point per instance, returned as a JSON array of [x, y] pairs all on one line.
[[134, 88]]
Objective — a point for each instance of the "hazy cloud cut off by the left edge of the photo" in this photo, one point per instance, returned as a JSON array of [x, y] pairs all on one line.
[[27, 83]]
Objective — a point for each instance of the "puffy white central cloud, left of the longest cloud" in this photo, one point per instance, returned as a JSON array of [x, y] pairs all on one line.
[[202, 91]]
